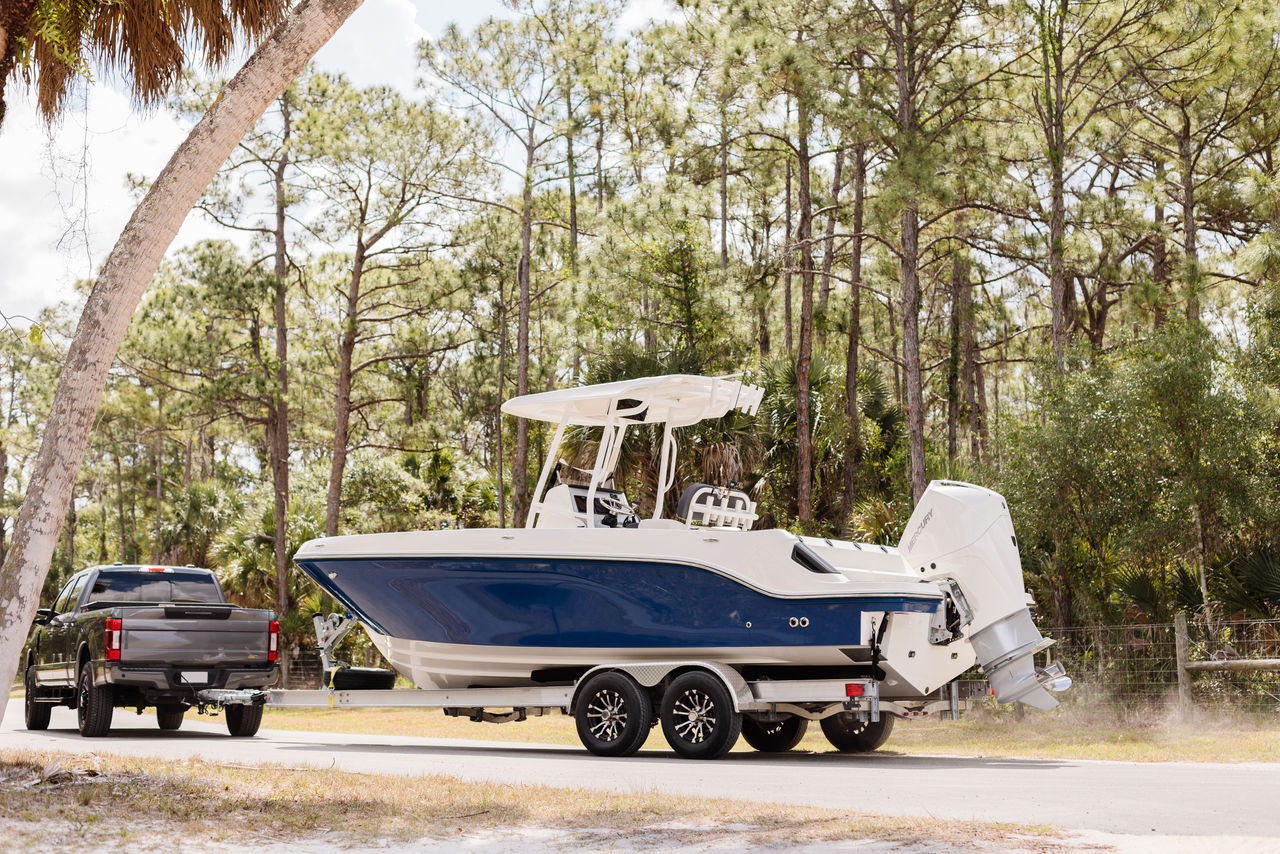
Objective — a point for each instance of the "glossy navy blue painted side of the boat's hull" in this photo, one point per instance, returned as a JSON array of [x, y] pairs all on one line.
[[587, 604]]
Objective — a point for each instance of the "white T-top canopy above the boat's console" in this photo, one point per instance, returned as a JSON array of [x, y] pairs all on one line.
[[678, 400]]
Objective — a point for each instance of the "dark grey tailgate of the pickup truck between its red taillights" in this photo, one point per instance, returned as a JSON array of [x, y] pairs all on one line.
[[202, 636]]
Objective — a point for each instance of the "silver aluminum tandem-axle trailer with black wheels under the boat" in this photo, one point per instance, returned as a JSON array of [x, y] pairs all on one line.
[[616, 705]]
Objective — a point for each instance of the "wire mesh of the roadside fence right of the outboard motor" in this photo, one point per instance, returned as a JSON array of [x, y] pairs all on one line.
[[1133, 670]]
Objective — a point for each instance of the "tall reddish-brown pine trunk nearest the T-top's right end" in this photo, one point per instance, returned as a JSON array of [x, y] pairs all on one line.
[[804, 359]]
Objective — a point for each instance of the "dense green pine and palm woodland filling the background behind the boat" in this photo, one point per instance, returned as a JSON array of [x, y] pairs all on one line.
[[1127, 150]]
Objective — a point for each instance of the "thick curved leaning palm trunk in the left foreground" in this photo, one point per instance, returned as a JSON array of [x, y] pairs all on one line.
[[116, 296]]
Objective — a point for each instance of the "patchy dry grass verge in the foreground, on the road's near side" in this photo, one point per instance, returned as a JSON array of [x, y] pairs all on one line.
[[126, 803]]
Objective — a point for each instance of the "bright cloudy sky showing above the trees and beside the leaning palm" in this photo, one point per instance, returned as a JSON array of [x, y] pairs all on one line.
[[65, 191]]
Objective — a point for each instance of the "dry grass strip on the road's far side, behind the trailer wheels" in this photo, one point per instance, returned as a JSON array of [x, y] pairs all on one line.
[[1064, 734]]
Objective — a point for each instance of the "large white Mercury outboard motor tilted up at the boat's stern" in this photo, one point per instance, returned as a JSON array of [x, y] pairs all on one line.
[[963, 537]]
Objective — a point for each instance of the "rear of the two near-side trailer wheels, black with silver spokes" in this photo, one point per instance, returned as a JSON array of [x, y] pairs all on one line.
[[698, 718]]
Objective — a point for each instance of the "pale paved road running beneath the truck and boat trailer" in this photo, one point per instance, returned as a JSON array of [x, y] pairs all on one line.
[[1165, 800]]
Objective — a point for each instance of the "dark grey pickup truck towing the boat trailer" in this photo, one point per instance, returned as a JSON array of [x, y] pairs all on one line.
[[136, 637]]
